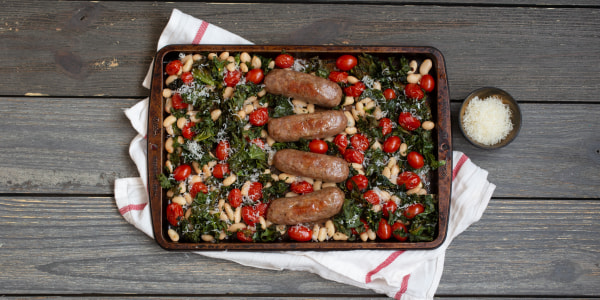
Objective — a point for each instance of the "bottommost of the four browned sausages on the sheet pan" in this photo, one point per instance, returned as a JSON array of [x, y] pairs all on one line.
[[307, 208]]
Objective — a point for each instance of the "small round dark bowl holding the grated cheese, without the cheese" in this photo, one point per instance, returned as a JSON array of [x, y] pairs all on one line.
[[507, 99]]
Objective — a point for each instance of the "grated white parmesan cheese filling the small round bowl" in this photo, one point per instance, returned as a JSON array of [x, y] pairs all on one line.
[[487, 121]]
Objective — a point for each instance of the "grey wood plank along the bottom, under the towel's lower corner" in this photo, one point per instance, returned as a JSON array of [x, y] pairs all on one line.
[[75, 245]]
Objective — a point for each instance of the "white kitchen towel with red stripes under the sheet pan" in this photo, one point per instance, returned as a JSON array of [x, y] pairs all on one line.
[[406, 275]]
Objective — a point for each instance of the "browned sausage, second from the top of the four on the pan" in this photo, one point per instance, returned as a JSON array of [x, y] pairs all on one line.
[[308, 126]]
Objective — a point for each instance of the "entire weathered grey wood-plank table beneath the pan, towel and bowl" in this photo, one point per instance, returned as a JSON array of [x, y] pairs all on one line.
[[68, 69]]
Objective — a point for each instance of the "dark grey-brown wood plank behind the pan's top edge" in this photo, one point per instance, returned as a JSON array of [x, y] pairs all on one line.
[[104, 48]]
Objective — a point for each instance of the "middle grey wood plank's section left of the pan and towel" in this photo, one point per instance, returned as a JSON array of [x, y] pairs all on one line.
[[64, 145]]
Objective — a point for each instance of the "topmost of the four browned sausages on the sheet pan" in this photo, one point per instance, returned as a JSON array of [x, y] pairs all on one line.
[[303, 86]]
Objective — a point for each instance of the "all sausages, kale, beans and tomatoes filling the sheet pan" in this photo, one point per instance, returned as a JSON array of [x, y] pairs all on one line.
[[273, 148]]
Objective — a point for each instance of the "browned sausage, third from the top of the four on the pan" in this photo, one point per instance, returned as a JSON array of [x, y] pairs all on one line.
[[313, 165]]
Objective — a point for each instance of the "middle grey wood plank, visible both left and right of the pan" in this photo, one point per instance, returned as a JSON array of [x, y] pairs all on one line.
[[81, 145]]
